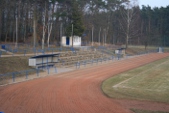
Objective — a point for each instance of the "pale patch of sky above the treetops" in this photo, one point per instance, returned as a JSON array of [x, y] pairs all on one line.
[[154, 3]]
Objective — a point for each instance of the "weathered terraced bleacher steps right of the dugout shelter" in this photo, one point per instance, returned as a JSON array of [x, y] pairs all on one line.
[[72, 58]]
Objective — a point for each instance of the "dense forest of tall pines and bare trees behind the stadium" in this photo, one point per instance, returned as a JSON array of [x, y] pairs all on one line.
[[43, 22]]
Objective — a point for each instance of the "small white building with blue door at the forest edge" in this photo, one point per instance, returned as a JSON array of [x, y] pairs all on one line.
[[67, 41]]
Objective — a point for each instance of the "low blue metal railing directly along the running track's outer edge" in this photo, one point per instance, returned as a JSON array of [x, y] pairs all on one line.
[[14, 77]]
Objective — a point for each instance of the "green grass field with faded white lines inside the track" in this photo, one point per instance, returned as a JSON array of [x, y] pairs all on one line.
[[149, 82]]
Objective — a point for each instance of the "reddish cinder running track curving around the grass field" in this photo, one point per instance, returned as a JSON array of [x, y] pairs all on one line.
[[73, 92]]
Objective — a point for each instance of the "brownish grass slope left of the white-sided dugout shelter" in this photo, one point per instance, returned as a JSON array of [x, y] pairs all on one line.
[[13, 64]]
